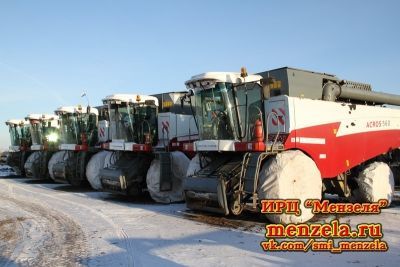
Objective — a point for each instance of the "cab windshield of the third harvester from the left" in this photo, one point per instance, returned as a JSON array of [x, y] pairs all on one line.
[[78, 127]]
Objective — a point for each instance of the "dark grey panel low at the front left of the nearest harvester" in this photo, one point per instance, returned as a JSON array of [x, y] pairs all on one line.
[[206, 194]]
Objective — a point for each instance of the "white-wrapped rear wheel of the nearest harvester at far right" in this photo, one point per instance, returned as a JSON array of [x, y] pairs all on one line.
[[375, 182]]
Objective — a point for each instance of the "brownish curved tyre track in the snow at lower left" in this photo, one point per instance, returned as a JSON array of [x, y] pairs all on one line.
[[47, 238]]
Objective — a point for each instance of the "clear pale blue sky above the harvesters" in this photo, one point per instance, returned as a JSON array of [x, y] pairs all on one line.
[[50, 51]]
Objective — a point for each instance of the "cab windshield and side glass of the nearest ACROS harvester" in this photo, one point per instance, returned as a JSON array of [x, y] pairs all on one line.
[[228, 112]]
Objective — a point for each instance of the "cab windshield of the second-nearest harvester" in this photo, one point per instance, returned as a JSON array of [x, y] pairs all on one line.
[[133, 122]]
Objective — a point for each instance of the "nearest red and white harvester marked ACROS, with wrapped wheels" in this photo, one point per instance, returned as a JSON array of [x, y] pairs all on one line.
[[275, 134]]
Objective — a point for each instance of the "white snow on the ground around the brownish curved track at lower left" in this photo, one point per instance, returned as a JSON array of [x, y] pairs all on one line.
[[121, 233]]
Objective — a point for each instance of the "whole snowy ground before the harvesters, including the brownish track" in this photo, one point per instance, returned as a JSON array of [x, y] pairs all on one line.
[[56, 225]]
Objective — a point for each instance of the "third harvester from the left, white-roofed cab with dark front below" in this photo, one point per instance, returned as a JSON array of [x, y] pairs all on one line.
[[78, 140]]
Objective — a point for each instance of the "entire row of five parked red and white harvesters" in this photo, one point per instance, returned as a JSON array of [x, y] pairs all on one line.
[[229, 141]]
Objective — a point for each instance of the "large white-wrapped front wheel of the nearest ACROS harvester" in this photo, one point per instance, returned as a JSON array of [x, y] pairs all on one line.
[[290, 175]]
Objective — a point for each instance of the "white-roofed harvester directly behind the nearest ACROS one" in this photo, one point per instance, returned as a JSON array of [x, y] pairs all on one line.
[[145, 131]]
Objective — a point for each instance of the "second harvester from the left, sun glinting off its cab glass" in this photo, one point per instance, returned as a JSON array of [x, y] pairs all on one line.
[[44, 129]]
